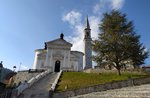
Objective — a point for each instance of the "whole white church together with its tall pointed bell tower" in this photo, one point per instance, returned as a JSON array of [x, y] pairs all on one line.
[[57, 54]]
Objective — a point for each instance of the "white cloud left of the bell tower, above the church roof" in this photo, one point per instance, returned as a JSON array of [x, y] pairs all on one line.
[[74, 19]]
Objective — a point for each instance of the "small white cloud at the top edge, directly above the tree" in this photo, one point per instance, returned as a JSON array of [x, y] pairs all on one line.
[[117, 4]]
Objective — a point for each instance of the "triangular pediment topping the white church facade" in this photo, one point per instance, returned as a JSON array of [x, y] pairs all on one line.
[[59, 41]]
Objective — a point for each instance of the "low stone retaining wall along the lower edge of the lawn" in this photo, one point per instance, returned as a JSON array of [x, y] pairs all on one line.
[[101, 87]]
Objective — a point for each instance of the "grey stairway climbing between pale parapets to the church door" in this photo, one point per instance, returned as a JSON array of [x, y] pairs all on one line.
[[41, 88]]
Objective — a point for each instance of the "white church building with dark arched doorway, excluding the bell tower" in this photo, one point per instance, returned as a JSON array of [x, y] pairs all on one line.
[[58, 56]]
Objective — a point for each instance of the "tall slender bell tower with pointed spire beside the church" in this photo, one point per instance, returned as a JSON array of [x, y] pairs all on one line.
[[87, 46]]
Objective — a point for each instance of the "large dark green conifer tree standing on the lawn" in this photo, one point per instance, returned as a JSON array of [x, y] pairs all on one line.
[[118, 43]]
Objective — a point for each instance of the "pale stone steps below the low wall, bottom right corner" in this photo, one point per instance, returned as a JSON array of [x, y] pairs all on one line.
[[142, 91]]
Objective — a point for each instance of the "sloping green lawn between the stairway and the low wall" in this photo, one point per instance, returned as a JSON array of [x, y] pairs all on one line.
[[74, 80]]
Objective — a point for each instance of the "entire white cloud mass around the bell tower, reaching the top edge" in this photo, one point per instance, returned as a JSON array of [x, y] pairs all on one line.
[[74, 19]]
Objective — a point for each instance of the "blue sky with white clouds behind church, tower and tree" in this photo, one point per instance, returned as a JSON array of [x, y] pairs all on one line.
[[26, 24]]
